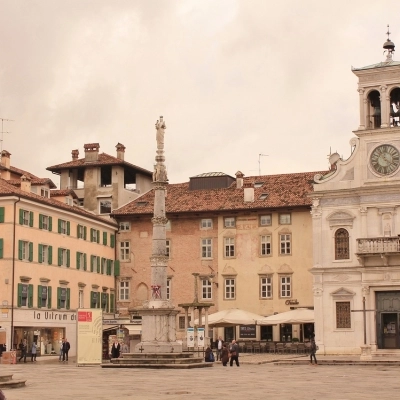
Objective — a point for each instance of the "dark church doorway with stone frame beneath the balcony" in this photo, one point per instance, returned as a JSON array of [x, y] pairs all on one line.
[[388, 319]]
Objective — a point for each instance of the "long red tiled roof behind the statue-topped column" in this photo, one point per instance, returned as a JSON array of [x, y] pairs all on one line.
[[288, 190]]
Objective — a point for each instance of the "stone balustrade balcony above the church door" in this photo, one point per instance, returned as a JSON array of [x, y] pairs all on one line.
[[384, 247]]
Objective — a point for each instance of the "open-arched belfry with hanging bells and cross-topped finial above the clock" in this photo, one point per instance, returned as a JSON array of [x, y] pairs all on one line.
[[379, 91]]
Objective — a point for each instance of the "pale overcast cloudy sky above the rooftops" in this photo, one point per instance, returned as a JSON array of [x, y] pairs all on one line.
[[256, 86]]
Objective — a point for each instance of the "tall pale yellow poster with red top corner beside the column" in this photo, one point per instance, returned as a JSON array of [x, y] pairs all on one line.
[[89, 336]]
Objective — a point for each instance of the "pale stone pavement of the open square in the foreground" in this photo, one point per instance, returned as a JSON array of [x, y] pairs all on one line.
[[256, 378]]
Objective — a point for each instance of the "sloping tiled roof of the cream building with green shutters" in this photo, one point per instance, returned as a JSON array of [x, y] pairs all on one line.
[[6, 189]]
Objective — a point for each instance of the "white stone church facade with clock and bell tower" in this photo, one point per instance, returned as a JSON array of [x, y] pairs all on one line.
[[356, 225]]
